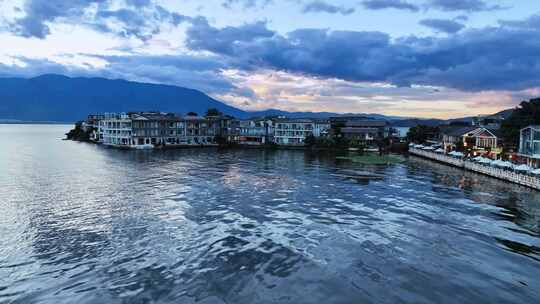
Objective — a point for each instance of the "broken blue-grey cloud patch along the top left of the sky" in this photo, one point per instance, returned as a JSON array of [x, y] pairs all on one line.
[[142, 18]]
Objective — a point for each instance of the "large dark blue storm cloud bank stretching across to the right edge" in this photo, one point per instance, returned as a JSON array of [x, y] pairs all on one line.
[[481, 59]]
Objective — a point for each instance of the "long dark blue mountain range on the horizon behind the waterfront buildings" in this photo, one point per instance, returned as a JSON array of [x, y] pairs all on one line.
[[58, 98]]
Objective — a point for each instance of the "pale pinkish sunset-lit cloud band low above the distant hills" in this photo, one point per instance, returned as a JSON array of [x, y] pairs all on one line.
[[295, 92]]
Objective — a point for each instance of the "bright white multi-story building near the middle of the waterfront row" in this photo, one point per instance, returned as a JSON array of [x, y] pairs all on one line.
[[292, 132]]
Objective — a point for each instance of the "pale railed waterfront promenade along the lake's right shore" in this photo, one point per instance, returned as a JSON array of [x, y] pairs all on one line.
[[504, 174]]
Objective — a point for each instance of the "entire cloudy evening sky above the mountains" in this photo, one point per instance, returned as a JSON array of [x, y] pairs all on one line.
[[413, 58]]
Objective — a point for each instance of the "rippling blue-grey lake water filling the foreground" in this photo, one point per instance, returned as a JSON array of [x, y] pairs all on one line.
[[80, 223]]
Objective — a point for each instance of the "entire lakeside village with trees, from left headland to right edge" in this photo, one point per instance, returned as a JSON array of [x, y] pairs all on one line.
[[480, 139]]
